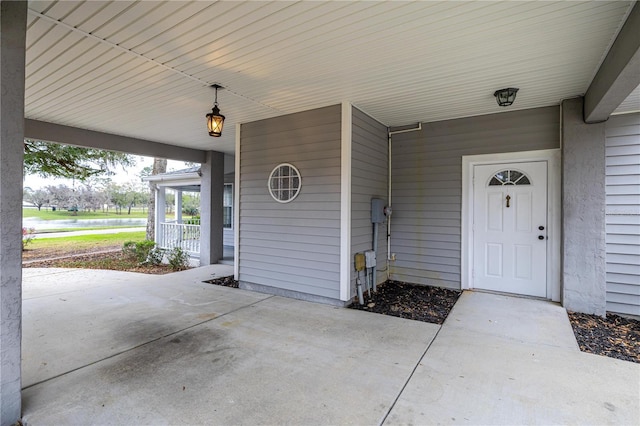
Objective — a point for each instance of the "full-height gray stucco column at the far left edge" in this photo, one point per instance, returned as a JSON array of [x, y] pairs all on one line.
[[13, 19]]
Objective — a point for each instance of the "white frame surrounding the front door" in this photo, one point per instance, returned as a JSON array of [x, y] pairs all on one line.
[[552, 156]]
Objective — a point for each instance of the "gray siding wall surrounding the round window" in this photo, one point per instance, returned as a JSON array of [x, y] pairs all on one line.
[[293, 246]]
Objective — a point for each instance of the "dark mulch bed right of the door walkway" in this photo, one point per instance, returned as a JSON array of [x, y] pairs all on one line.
[[613, 336]]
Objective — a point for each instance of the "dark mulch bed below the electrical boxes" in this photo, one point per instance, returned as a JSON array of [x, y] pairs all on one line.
[[410, 301]]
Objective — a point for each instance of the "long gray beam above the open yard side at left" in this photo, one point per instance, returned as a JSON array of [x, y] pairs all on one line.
[[41, 130]]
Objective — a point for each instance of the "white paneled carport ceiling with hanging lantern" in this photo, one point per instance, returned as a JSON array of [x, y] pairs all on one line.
[[142, 69]]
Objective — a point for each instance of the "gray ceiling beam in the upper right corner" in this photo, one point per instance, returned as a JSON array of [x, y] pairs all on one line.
[[619, 73]]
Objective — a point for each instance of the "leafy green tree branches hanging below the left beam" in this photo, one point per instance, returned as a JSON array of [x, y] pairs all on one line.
[[49, 159]]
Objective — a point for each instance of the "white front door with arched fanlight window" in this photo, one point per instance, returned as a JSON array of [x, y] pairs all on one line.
[[510, 228]]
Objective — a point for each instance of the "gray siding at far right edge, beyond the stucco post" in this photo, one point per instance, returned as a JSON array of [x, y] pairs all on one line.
[[623, 213]]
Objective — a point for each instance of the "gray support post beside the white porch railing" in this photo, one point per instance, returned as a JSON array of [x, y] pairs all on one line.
[[211, 208]]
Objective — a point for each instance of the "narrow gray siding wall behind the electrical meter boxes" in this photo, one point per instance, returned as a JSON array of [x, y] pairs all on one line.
[[369, 176]]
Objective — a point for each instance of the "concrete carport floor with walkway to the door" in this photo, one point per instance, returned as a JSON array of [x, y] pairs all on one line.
[[116, 348]]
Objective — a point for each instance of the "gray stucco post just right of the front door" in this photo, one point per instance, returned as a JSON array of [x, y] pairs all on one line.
[[583, 206]]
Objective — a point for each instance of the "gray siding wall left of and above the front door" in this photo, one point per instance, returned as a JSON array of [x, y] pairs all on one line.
[[427, 185]]
